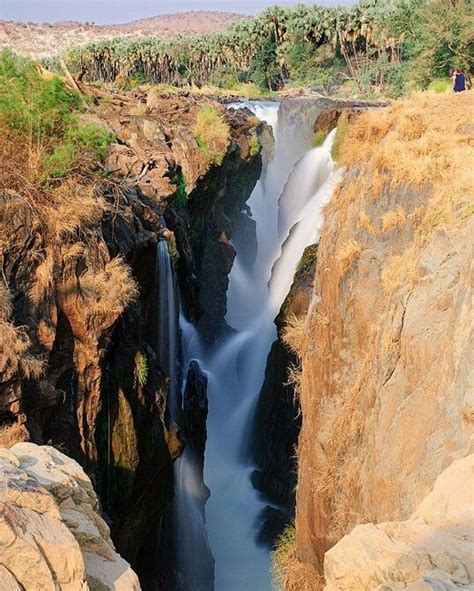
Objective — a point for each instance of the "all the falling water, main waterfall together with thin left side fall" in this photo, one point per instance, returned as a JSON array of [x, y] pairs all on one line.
[[286, 208]]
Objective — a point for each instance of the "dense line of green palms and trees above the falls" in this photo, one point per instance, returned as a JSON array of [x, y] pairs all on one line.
[[389, 44]]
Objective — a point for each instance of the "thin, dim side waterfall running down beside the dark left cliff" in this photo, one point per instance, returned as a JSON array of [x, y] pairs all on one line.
[[187, 539]]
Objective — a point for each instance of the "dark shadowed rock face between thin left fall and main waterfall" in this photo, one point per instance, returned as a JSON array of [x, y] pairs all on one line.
[[203, 230]]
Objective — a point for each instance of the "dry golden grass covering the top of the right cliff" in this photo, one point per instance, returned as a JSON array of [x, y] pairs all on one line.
[[422, 141]]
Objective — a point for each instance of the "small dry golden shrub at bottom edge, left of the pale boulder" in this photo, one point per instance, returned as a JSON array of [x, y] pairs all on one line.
[[288, 571]]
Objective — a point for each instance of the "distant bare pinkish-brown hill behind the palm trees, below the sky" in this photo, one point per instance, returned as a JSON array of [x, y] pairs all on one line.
[[46, 39]]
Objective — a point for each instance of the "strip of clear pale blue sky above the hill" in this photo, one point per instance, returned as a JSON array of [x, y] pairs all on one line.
[[120, 11]]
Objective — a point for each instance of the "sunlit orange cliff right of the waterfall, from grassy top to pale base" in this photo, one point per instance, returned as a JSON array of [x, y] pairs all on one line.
[[386, 359]]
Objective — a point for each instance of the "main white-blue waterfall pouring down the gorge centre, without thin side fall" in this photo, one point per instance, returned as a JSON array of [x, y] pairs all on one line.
[[286, 205]]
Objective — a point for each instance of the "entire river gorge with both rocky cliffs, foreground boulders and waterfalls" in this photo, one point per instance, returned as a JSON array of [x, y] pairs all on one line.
[[234, 339]]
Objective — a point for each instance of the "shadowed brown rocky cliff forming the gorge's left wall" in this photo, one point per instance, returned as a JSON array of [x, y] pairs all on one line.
[[78, 361]]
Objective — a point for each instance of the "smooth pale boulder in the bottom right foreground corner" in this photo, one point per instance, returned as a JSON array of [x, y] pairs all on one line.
[[434, 549]]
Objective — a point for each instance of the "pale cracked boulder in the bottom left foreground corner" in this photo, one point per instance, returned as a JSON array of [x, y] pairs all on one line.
[[52, 536]]
